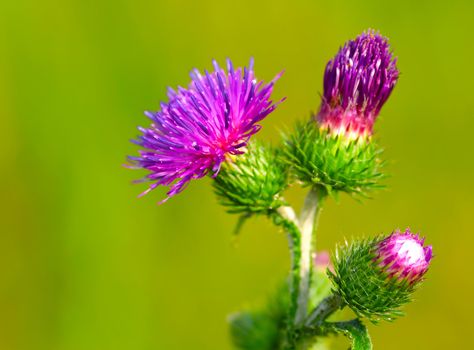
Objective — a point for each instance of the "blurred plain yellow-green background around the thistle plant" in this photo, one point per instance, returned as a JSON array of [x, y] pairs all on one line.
[[84, 264]]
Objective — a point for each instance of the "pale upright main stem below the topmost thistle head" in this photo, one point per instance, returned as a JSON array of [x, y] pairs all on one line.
[[307, 223]]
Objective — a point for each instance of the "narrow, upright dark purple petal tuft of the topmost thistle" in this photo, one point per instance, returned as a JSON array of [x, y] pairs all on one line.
[[357, 82]]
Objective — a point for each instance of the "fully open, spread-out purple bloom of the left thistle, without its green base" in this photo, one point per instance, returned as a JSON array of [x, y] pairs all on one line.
[[202, 126]]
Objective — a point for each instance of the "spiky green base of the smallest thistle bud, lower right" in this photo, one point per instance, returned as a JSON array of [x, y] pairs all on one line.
[[364, 286]]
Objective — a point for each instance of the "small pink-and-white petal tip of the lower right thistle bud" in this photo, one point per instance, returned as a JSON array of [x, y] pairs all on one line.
[[403, 256]]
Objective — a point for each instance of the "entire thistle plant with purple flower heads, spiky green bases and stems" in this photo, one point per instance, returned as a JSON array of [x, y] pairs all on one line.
[[206, 129]]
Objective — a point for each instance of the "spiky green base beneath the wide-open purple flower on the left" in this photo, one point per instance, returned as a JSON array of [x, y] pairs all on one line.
[[252, 182]]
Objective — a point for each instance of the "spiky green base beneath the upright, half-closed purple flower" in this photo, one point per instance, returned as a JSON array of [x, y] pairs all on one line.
[[338, 163]]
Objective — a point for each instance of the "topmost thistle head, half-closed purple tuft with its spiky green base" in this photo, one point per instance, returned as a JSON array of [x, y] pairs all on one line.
[[335, 149]]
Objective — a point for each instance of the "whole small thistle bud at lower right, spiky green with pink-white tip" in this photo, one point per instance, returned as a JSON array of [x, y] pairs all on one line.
[[375, 284]]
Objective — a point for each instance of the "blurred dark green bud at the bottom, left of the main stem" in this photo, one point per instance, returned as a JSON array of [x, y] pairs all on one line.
[[264, 328]]
